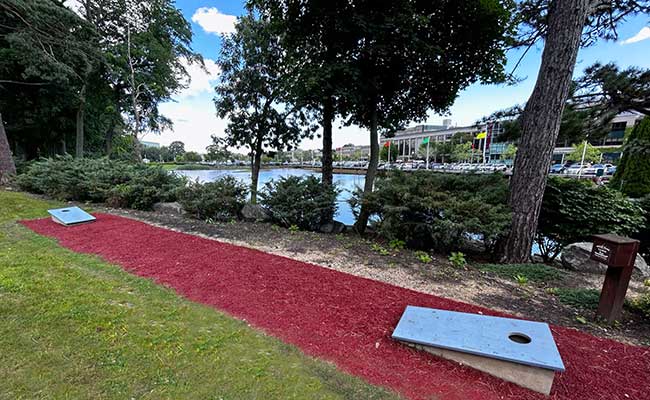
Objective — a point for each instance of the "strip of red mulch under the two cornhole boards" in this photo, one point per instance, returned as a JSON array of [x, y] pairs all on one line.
[[340, 317]]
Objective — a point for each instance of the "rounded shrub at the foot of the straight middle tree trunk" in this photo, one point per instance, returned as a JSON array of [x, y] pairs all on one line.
[[300, 201]]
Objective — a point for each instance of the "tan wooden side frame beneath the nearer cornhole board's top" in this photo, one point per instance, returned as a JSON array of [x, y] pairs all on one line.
[[533, 378]]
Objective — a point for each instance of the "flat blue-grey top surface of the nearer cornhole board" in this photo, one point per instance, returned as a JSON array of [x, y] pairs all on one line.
[[494, 337]]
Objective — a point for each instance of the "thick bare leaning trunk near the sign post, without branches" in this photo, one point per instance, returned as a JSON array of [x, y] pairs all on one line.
[[541, 124]]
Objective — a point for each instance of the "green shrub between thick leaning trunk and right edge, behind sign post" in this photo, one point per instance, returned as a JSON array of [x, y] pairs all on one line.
[[573, 210]]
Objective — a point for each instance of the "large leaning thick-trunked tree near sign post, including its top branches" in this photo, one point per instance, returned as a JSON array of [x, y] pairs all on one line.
[[563, 25]]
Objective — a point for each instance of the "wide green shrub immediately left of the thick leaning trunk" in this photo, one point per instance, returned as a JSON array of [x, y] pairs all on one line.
[[438, 211]]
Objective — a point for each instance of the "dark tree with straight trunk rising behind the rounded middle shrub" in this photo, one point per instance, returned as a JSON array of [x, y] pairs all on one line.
[[319, 41]]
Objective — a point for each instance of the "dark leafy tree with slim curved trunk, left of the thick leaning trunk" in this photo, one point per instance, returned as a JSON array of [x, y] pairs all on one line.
[[415, 56]]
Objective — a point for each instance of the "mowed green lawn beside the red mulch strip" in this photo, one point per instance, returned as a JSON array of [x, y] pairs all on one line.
[[75, 327]]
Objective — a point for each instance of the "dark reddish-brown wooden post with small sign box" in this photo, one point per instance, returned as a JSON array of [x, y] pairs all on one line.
[[619, 254]]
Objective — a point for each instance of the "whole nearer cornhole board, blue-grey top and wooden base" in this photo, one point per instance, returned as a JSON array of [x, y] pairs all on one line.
[[518, 351]]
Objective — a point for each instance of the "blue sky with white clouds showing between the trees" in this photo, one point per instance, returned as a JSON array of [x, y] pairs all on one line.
[[193, 111]]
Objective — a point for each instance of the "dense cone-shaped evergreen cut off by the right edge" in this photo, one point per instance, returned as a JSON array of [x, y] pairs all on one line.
[[633, 173]]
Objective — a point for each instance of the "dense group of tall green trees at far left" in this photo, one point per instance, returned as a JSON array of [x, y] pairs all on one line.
[[88, 82]]
